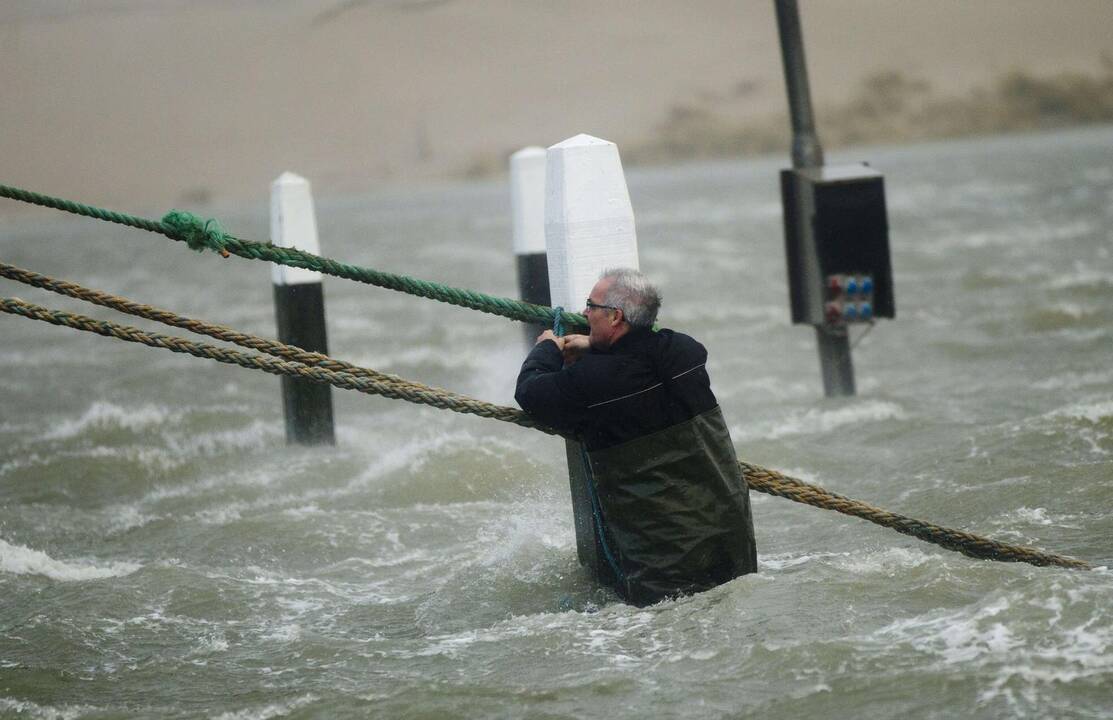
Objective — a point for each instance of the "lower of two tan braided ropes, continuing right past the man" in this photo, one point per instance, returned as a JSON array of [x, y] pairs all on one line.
[[760, 479]]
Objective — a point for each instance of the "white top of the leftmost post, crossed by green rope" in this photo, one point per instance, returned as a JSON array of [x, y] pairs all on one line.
[[293, 224]]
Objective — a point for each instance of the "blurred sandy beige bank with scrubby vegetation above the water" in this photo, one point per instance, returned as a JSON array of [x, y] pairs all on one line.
[[131, 102]]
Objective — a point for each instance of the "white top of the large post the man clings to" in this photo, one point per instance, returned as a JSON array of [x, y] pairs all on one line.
[[589, 220]]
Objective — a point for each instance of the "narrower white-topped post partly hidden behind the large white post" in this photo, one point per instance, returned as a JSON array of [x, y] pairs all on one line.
[[528, 208]]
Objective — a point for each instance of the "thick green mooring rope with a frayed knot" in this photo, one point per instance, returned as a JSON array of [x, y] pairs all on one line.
[[200, 234]]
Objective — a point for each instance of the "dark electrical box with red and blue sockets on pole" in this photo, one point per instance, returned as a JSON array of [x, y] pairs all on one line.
[[838, 244]]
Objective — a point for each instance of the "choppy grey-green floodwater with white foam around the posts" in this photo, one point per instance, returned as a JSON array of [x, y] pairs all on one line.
[[164, 555]]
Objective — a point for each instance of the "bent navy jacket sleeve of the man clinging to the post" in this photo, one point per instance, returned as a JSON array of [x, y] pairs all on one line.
[[546, 390]]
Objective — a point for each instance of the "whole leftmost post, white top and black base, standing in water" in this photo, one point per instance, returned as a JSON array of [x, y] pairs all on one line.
[[300, 310]]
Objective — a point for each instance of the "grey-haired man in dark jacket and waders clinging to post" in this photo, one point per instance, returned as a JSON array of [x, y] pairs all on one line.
[[672, 508]]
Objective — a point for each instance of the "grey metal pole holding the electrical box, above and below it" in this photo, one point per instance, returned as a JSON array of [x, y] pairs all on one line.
[[832, 341]]
